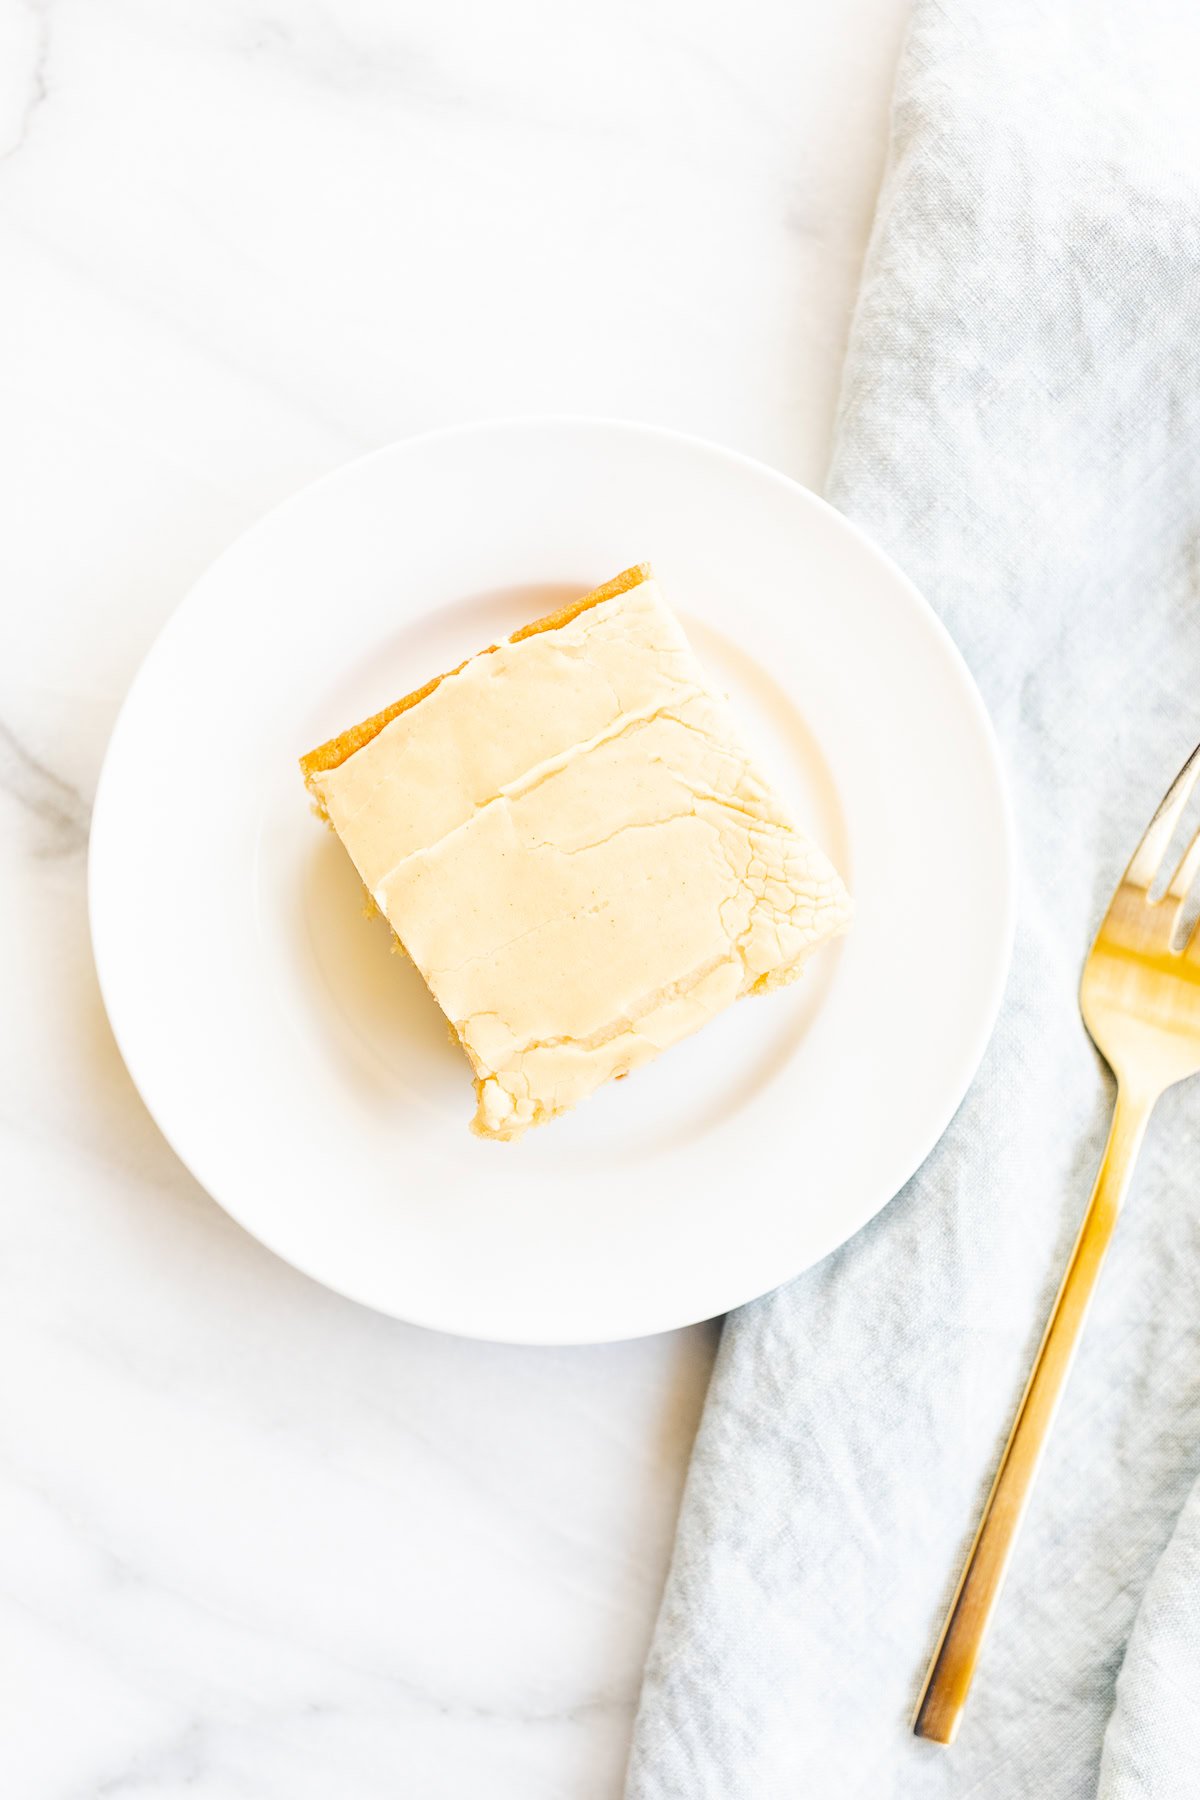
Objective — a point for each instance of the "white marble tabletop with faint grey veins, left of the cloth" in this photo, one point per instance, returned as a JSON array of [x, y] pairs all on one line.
[[258, 1542]]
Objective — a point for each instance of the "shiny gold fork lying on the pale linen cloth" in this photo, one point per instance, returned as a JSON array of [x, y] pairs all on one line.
[[1142, 1003]]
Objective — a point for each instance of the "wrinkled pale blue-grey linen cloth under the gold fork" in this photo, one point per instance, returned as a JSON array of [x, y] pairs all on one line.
[[1021, 429]]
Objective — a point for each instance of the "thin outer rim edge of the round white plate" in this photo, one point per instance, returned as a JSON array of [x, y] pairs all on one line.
[[848, 530]]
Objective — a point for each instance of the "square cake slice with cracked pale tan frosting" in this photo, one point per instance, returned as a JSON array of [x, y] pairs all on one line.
[[577, 850]]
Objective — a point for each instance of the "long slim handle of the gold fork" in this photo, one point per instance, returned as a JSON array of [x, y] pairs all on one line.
[[951, 1671]]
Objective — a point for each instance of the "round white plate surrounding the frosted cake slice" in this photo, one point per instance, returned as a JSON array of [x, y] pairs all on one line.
[[303, 1072]]
